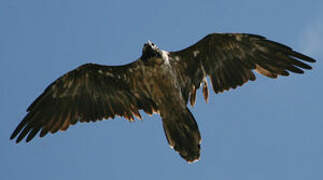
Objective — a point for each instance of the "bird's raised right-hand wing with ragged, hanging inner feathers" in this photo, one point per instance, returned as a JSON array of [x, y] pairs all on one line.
[[228, 59]]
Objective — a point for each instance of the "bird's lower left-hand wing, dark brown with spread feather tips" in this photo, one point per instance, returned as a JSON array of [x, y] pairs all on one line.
[[89, 93]]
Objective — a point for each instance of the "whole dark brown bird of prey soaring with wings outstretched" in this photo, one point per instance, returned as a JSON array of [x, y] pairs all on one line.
[[159, 82]]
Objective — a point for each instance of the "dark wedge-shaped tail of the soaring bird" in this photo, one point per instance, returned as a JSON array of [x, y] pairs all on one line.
[[182, 134]]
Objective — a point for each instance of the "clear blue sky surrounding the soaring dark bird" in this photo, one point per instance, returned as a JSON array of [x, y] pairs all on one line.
[[265, 130]]
